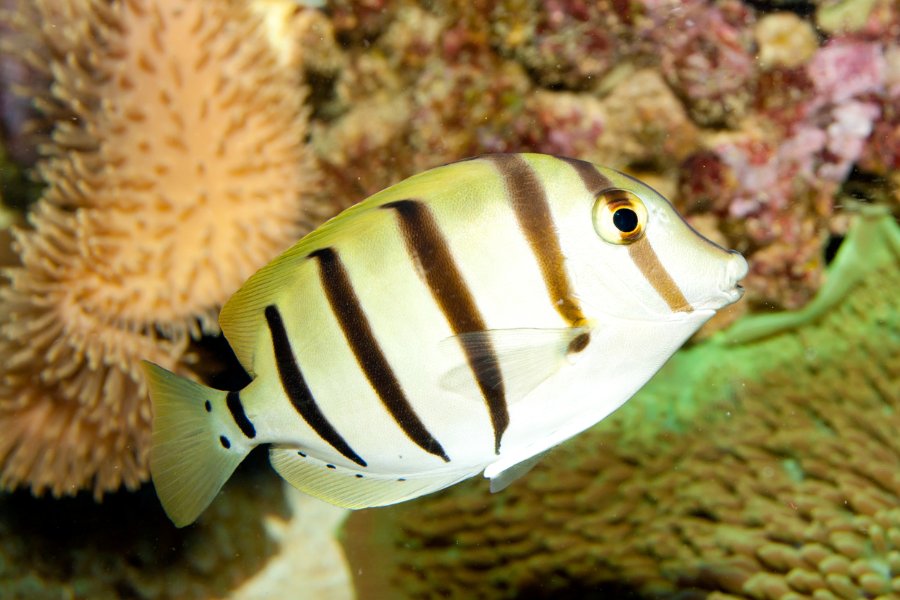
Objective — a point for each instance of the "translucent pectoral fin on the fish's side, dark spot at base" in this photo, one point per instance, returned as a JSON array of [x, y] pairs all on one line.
[[517, 359]]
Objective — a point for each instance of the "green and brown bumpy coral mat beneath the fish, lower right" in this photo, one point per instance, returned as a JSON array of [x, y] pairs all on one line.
[[763, 464]]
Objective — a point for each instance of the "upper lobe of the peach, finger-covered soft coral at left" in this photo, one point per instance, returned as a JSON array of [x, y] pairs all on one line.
[[202, 136]]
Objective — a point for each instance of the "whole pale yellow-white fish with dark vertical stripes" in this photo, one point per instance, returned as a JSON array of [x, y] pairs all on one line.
[[465, 320]]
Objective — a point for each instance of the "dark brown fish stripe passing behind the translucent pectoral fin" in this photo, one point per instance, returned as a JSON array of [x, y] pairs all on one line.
[[430, 251]]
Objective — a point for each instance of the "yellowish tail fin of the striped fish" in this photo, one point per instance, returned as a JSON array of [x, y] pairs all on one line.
[[195, 447]]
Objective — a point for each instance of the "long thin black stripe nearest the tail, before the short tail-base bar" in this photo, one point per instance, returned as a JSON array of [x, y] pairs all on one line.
[[297, 390]]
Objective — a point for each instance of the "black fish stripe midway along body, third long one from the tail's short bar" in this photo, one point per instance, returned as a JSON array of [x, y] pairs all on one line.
[[355, 325]]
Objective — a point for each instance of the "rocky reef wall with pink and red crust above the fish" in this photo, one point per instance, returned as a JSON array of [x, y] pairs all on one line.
[[766, 119]]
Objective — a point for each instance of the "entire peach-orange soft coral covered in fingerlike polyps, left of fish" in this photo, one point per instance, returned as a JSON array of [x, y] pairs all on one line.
[[177, 171]]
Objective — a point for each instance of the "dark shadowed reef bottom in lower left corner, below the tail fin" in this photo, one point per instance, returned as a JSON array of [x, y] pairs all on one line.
[[127, 548]]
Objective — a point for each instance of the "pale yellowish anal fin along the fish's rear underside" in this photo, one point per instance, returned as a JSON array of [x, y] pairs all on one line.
[[355, 489]]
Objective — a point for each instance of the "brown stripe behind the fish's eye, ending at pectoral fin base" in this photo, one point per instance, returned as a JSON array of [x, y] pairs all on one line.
[[529, 202]]
